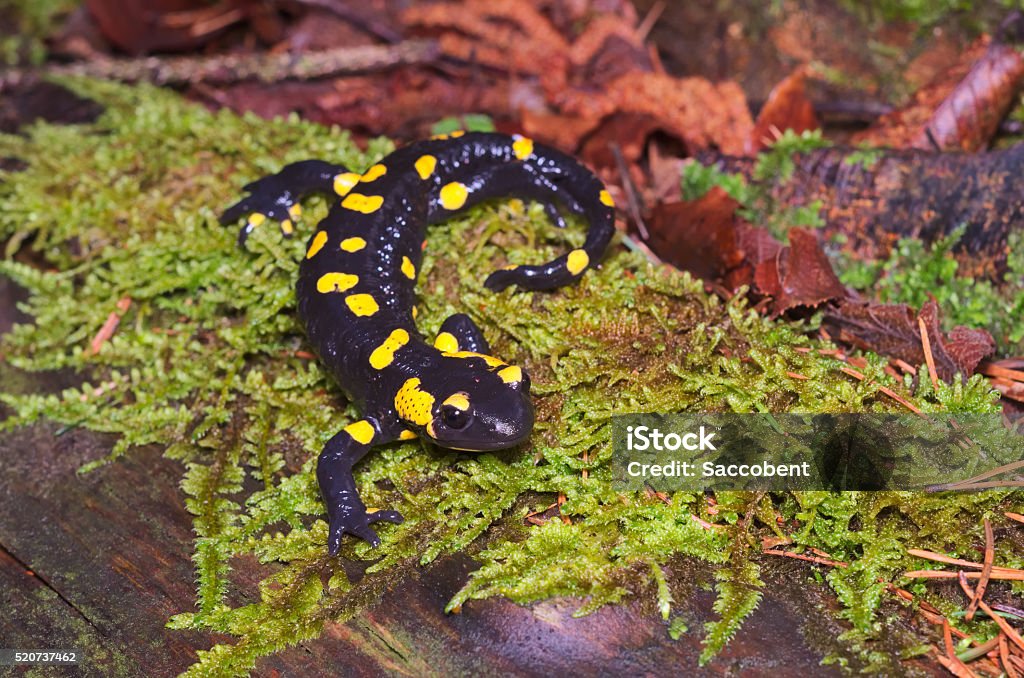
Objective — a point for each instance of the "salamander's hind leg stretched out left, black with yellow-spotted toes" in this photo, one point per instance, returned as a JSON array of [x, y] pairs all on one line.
[[277, 196]]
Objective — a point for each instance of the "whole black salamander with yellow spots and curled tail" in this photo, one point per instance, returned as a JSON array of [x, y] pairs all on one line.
[[356, 295]]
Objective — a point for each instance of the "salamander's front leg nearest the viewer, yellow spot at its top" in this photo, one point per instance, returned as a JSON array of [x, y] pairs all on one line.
[[347, 513]]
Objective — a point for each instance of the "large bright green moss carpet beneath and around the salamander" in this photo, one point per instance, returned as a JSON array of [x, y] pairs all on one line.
[[206, 362]]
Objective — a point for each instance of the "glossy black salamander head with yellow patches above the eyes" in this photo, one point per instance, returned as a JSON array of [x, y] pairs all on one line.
[[478, 404]]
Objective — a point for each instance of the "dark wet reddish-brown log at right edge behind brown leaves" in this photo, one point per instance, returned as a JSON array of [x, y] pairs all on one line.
[[877, 198]]
